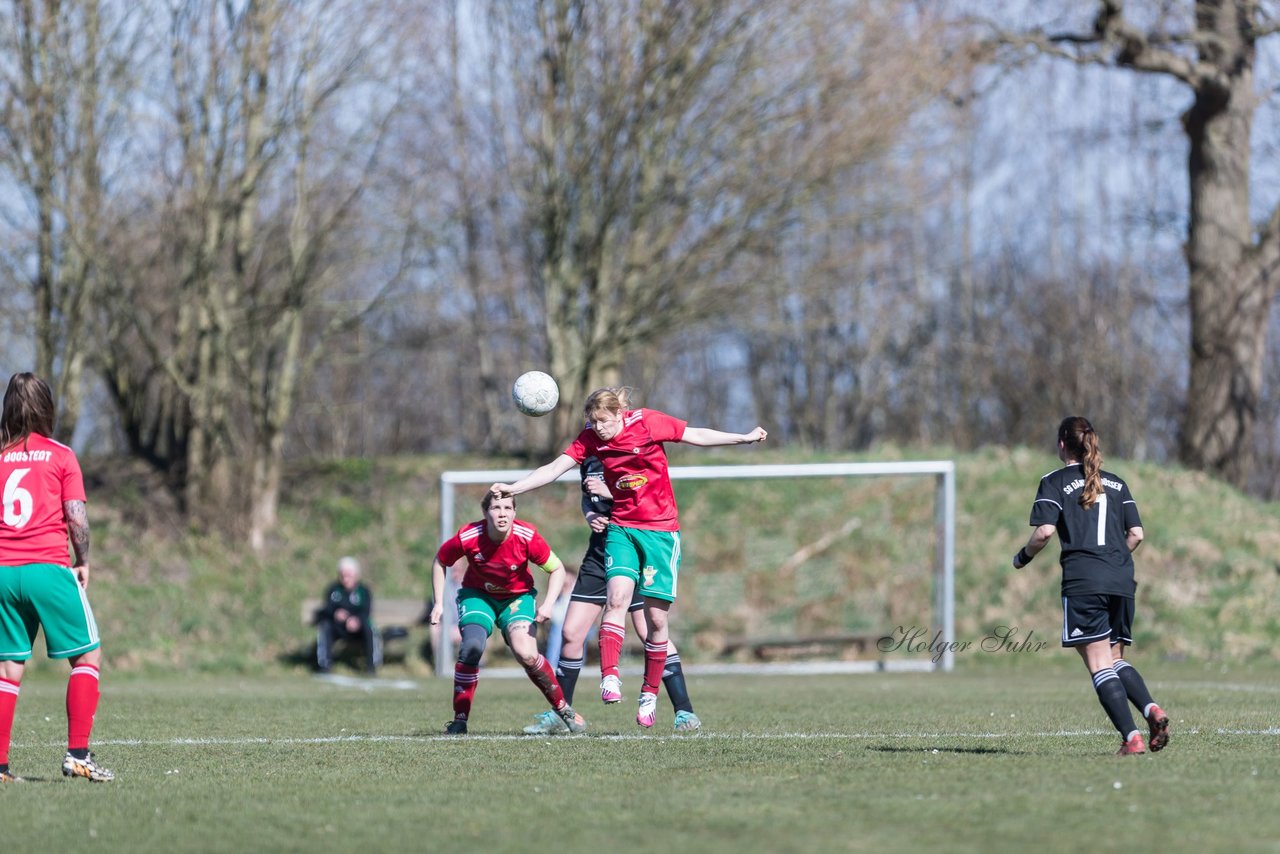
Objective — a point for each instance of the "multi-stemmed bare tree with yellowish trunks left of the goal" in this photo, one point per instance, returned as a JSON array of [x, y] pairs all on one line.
[[220, 307]]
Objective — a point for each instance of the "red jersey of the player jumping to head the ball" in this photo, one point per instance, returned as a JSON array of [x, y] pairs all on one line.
[[636, 468]]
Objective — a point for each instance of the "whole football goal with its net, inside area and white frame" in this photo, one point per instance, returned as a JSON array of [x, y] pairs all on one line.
[[815, 568]]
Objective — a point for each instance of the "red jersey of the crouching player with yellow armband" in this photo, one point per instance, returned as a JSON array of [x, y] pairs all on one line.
[[499, 569]]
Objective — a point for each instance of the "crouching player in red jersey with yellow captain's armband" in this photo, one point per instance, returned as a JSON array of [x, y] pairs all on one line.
[[499, 591]]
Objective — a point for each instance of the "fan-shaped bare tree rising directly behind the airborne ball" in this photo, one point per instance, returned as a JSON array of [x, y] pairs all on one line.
[[668, 143]]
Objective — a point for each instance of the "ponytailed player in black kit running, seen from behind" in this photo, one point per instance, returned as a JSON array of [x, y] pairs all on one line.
[[1098, 522]]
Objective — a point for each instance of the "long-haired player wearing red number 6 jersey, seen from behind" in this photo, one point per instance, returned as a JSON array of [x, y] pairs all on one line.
[[44, 503]]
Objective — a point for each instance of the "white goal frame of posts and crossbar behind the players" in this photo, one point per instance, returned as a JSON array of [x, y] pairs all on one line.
[[944, 578]]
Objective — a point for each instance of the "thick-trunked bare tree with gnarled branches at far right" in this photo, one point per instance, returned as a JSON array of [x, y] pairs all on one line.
[[1212, 48]]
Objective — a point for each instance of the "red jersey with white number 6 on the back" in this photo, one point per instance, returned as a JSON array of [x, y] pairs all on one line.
[[38, 477]]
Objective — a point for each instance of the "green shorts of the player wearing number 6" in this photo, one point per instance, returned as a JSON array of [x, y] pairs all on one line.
[[47, 596]]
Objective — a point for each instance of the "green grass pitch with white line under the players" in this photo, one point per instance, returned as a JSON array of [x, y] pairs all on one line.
[[988, 759]]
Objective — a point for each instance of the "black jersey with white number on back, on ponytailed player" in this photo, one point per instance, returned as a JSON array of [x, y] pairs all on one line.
[[1095, 555]]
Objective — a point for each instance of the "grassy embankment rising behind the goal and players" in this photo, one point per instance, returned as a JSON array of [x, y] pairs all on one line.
[[1210, 570]]
